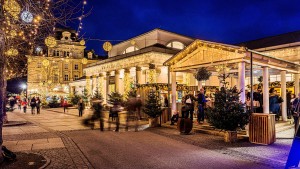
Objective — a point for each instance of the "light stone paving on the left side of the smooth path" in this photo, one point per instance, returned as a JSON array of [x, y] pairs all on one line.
[[37, 135]]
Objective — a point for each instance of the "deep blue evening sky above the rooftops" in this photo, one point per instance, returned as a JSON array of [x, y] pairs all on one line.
[[227, 21]]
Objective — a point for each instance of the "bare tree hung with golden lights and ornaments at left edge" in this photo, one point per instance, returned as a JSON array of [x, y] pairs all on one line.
[[24, 25]]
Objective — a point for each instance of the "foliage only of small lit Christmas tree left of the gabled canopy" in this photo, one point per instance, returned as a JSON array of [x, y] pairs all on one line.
[[153, 105]]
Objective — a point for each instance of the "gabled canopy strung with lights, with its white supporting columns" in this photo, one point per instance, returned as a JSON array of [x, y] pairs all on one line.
[[236, 60]]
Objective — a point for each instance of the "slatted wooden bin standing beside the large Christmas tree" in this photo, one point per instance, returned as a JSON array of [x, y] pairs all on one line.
[[262, 128]]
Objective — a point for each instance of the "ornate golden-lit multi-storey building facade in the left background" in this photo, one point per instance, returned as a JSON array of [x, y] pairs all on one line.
[[50, 74]]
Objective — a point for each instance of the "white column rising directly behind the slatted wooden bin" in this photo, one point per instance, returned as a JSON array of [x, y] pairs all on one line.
[[266, 90]]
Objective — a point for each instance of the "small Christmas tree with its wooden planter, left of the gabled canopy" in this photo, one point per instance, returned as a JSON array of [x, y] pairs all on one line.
[[153, 108]]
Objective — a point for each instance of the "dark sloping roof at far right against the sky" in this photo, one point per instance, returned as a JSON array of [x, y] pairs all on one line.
[[276, 40]]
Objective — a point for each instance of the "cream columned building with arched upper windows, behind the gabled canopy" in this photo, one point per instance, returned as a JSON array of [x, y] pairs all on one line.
[[138, 60]]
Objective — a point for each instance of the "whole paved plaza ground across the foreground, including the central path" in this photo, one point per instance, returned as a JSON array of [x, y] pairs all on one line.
[[68, 144]]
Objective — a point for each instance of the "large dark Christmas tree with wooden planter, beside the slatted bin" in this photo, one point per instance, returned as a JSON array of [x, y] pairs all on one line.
[[228, 112]]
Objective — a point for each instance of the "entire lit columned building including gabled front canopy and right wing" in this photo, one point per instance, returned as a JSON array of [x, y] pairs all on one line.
[[165, 58]]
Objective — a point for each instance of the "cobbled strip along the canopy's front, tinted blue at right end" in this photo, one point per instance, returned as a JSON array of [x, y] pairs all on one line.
[[273, 156]]
